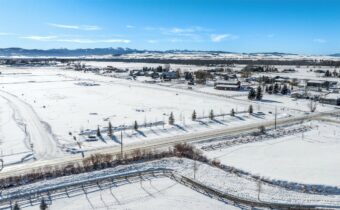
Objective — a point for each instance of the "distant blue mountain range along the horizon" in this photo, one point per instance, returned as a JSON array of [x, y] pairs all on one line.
[[112, 51]]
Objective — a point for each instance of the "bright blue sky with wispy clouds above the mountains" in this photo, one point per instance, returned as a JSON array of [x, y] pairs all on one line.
[[294, 26]]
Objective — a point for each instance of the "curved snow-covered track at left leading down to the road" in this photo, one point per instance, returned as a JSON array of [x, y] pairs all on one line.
[[44, 145]]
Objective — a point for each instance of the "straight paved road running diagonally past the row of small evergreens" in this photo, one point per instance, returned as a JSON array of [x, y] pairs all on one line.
[[158, 143]]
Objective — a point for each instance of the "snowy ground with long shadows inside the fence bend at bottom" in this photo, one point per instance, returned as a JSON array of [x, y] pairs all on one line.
[[158, 193]]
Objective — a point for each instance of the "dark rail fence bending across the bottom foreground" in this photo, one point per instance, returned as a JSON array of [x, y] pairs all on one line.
[[55, 191]]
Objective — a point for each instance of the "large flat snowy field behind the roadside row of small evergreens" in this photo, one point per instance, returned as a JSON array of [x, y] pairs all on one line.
[[64, 103]]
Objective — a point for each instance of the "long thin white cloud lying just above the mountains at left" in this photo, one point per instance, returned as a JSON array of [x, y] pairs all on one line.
[[75, 40]]
